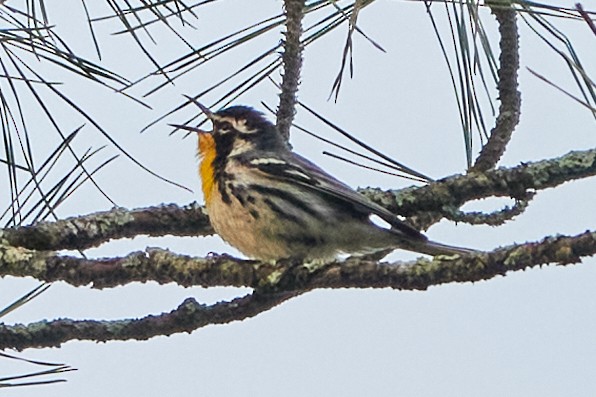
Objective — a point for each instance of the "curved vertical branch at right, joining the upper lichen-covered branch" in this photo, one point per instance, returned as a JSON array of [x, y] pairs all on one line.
[[509, 96]]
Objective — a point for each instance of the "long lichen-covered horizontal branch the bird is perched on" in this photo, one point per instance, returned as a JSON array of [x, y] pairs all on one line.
[[164, 267]]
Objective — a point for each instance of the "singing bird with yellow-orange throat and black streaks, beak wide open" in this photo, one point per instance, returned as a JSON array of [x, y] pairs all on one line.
[[271, 203]]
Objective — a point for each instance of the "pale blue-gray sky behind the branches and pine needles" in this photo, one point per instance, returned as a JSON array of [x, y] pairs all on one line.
[[527, 334]]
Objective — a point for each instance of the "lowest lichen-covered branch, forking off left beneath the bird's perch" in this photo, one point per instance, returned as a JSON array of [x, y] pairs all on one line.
[[189, 316]]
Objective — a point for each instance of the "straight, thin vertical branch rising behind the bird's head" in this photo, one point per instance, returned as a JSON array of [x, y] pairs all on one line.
[[292, 62]]
